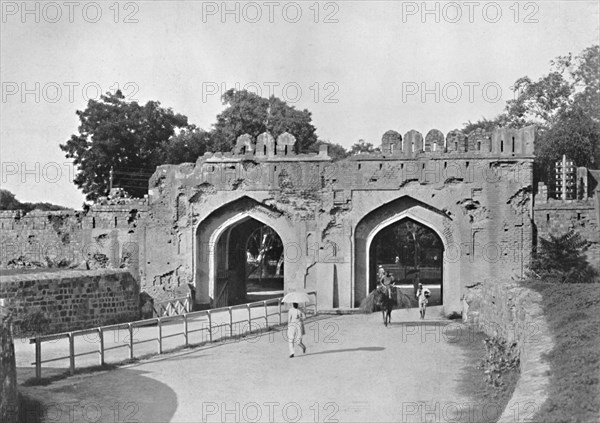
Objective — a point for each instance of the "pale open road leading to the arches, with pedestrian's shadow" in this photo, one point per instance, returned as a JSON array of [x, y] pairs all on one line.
[[355, 370]]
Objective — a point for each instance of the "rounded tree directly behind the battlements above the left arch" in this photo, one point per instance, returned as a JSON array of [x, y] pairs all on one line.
[[248, 113]]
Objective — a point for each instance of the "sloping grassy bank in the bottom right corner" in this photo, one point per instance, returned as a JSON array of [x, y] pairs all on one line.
[[573, 314]]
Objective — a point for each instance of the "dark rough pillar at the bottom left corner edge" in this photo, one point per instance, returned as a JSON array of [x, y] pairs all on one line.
[[8, 374]]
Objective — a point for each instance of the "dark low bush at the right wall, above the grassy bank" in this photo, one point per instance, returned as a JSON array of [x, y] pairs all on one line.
[[561, 259]]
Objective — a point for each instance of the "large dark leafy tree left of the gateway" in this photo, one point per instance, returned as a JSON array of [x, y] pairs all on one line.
[[125, 136]]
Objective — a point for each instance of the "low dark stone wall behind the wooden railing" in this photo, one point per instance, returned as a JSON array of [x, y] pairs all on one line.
[[43, 303]]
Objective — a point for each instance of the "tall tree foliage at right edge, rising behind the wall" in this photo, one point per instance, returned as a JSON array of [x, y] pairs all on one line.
[[565, 106]]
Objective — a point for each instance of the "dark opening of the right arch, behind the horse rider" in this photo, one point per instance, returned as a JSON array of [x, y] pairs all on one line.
[[412, 253]]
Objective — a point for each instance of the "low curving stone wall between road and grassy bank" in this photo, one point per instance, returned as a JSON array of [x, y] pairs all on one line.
[[509, 310]]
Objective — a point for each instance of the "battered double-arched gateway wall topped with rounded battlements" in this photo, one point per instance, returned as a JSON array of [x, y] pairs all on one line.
[[474, 191]]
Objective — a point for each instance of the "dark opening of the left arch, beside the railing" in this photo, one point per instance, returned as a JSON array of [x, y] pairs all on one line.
[[249, 264]]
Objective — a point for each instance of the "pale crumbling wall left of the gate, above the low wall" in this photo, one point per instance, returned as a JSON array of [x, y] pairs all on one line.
[[104, 237]]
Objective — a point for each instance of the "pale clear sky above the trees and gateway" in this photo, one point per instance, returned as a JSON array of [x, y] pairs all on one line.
[[360, 67]]
